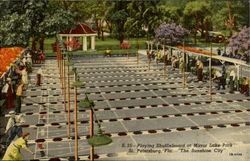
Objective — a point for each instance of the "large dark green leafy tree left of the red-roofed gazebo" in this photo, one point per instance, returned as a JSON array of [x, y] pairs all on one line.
[[37, 19]]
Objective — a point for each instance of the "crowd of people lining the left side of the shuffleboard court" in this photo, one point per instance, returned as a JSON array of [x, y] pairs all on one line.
[[16, 81]]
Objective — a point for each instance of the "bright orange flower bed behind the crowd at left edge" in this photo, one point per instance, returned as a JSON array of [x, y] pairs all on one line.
[[7, 57]]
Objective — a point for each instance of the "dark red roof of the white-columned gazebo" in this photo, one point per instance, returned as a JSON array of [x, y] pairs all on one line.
[[79, 29]]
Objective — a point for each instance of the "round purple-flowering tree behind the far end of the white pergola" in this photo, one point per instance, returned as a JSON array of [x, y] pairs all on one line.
[[170, 33]]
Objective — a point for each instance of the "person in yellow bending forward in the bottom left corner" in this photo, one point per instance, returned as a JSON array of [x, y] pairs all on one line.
[[13, 151]]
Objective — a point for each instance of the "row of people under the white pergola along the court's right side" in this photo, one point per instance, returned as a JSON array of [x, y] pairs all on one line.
[[219, 75]]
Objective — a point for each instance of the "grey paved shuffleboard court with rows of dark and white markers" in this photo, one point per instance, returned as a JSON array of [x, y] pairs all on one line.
[[148, 117]]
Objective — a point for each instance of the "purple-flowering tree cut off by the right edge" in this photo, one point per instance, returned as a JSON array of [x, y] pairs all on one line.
[[240, 42]]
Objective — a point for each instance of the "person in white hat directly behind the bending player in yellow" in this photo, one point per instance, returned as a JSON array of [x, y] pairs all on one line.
[[13, 128]]
